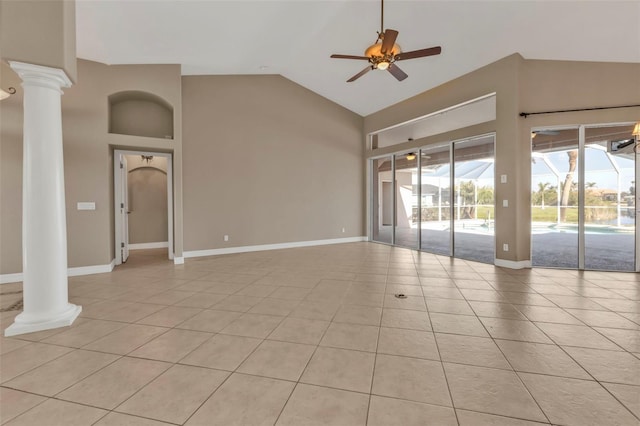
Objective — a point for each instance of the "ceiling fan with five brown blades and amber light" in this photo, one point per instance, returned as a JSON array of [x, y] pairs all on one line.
[[384, 53]]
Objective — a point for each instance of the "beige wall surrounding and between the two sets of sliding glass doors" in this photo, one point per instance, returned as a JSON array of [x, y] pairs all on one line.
[[521, 85]]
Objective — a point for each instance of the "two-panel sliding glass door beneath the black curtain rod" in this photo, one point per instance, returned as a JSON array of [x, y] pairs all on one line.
[[583, 198]]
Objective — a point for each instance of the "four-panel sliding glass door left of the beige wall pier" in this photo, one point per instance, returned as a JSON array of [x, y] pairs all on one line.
[[414, 205]]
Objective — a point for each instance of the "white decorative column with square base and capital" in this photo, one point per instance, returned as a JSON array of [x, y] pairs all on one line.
[[44, 226]]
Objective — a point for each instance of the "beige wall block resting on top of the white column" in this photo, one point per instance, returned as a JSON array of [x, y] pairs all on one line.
[[41, 32]]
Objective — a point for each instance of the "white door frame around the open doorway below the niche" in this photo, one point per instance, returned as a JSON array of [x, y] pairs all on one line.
[[117, 199]]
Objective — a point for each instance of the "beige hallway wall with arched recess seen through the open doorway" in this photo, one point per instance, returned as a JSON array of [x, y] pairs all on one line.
[[147, 190]]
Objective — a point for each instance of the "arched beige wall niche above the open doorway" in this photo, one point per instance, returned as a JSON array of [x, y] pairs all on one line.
[[138, 113]]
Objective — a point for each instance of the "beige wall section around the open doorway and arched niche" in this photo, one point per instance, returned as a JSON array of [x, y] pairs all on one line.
[[85, 126]]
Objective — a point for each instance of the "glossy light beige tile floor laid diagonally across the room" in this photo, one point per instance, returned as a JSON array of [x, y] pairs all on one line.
[[315, 336]]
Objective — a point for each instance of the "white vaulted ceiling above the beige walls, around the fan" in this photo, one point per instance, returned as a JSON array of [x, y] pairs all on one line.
[[295, 38]]
